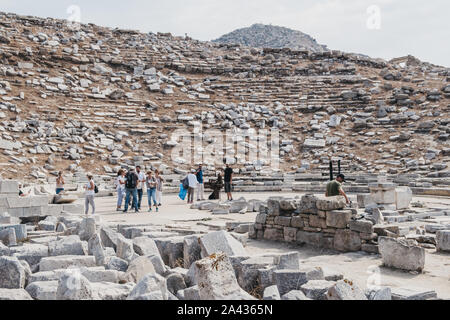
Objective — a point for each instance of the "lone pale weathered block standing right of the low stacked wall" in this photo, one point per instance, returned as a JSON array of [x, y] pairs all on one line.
[[401, 254]]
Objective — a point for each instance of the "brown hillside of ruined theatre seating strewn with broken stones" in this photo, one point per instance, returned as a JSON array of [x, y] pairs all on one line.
[[98, 98]]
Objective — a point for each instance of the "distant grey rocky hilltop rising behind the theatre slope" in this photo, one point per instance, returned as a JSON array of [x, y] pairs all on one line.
[[268, 36]]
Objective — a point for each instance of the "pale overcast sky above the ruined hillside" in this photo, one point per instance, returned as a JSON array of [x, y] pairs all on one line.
[[378, 28]]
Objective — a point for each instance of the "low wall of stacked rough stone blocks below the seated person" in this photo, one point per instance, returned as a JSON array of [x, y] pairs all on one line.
[[318, 221]]
